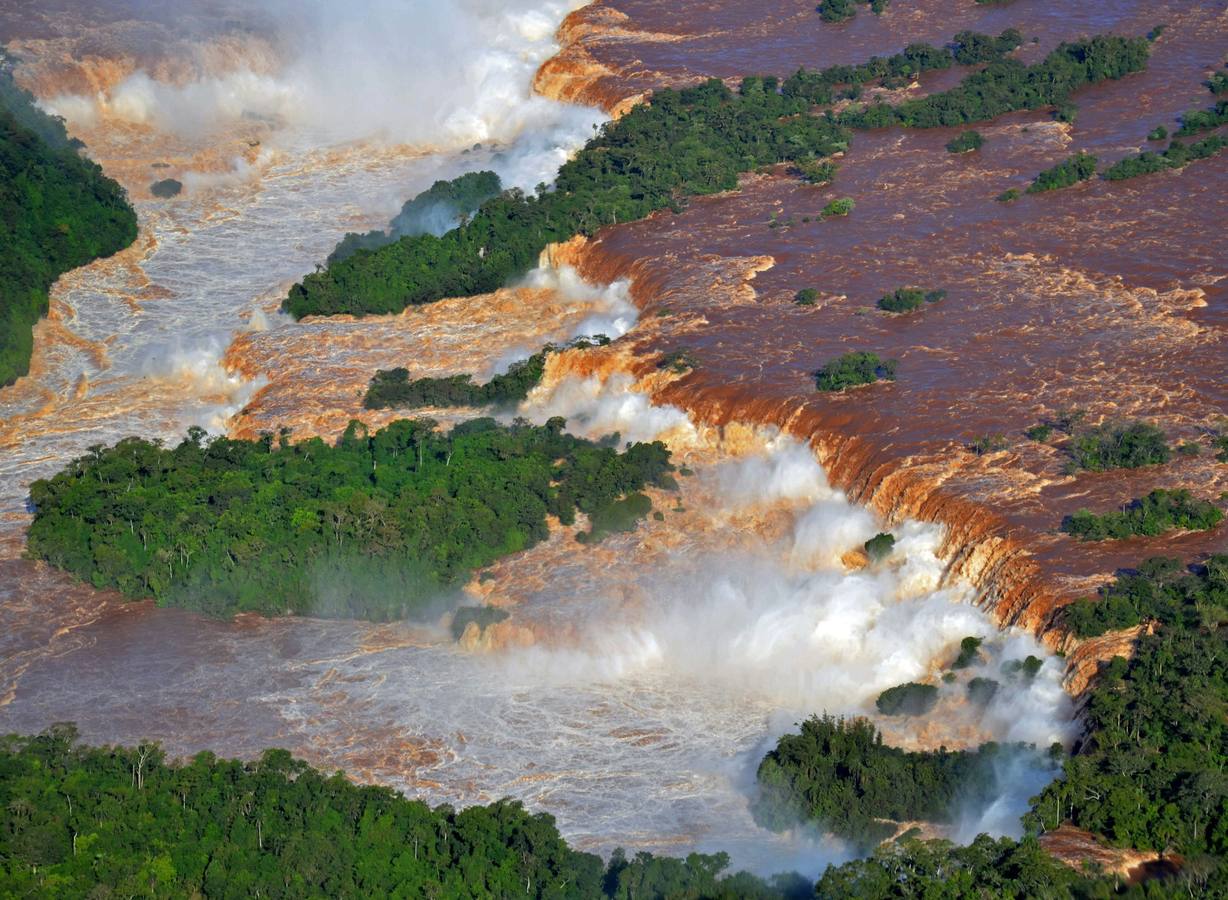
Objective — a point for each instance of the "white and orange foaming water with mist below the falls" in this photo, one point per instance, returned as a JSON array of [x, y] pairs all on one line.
[[638, 683]]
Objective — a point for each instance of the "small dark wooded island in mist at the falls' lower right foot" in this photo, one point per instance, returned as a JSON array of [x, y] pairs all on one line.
[[839, 774]]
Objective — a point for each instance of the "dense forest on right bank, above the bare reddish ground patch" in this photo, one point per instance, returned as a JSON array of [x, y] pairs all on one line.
[[1150, 774]]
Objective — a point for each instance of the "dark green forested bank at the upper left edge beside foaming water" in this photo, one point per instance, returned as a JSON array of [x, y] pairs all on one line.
[[57, 212]]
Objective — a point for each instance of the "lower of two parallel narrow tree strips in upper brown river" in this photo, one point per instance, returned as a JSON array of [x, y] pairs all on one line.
[[1006, 85]]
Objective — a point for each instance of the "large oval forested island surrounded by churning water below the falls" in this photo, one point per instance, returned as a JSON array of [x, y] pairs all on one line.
[[374, 527]]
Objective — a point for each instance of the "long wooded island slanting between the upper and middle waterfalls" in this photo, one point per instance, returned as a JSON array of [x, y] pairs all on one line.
[[687, 143]]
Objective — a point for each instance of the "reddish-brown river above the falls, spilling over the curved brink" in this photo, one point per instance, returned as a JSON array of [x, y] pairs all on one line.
[[1107, 298]]
